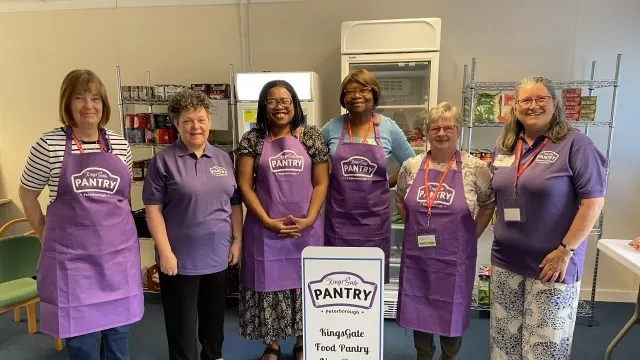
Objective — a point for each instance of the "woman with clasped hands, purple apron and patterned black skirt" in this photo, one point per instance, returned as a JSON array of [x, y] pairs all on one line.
[[283, 174]]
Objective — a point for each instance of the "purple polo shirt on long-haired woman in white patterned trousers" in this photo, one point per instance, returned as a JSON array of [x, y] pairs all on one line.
[[551, 187]]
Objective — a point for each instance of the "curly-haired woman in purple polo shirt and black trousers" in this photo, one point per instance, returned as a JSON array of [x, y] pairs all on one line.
[[194, 214]]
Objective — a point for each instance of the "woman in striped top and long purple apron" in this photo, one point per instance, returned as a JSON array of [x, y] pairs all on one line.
[[89, 279]]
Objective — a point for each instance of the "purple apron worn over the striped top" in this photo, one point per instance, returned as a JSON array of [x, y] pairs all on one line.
[[89, 276]]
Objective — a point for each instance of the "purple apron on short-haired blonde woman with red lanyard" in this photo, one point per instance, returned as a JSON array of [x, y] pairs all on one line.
[[436, 281]]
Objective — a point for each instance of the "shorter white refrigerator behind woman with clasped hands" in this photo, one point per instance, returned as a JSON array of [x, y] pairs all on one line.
[[248, 86]]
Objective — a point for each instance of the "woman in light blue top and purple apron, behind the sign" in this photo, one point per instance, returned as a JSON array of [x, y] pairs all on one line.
[[361, 143]]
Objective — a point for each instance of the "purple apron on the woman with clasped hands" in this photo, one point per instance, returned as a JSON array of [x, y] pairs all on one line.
[[283, 186]]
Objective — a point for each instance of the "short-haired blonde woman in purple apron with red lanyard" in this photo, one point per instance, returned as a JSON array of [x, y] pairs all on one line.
[[446, 200]]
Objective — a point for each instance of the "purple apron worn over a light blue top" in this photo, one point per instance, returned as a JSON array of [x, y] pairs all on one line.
[[358, 201]]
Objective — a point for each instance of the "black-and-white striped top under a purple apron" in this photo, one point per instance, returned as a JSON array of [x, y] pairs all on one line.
[[45, 159]]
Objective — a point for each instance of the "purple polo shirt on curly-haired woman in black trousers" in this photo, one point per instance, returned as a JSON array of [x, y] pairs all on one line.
[[196, 195]]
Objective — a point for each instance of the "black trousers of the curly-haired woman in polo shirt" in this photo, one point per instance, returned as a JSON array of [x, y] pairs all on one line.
[[194, 311]]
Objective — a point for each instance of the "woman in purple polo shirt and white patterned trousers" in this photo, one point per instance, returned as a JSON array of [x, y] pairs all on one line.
[[549, 181]]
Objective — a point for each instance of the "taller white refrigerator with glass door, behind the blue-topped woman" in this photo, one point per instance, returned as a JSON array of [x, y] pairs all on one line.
[[404, 56]]
